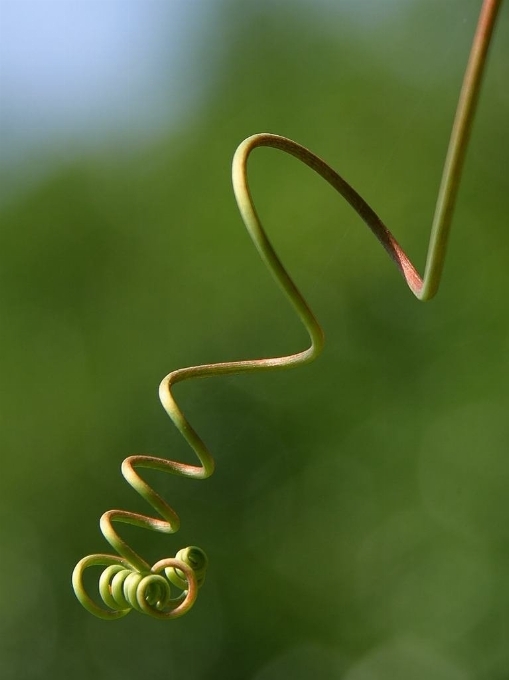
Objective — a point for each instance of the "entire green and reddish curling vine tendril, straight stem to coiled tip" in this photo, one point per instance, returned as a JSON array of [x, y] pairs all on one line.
[[128, 581]]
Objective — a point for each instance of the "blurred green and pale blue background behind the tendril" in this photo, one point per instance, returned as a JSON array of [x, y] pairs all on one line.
[[357, 524]]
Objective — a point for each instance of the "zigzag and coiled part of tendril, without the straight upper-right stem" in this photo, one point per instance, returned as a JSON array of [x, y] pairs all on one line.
[[128, 580]]
